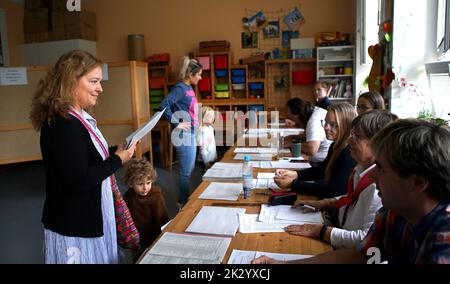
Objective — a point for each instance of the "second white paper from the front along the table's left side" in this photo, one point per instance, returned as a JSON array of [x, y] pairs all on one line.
[[215, 220]]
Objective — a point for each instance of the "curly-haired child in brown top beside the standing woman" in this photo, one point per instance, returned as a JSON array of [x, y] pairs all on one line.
[[145, 201]]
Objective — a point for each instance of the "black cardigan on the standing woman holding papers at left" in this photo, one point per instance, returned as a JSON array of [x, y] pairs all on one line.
[[74, 172]]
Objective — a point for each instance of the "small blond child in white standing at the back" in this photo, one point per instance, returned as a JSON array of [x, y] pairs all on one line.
[[206, 139]]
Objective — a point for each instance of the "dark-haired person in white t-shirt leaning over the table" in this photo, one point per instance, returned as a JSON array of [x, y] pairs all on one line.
[[305, 115]]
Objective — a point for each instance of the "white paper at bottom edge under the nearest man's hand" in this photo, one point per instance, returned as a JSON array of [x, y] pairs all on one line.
[[246, 256]]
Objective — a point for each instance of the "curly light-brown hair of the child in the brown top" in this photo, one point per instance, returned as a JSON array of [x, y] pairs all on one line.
[[136, 170]]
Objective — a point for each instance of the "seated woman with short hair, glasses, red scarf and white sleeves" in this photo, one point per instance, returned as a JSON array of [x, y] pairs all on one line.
[[356, 209]]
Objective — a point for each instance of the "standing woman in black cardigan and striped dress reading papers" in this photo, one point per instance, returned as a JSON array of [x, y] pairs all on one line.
[[78, 213]]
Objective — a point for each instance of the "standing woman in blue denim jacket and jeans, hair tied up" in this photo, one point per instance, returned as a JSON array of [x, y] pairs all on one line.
[[182, 111]]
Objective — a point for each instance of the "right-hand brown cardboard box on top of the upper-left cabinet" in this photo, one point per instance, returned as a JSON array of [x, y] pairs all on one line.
[[80, 25]]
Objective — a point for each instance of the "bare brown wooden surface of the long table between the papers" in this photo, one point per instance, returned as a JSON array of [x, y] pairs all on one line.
[[267, 242]]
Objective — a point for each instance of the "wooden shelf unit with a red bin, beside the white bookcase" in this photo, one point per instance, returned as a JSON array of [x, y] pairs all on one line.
[[288, 78]]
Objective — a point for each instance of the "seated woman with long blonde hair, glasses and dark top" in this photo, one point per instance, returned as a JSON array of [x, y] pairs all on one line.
[[330, 176]]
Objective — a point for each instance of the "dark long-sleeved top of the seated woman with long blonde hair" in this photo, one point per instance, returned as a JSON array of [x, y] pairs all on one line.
[[340, 174]]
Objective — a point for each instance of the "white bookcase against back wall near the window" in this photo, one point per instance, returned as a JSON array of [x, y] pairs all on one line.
[[336, 66]]
